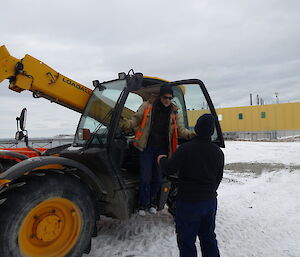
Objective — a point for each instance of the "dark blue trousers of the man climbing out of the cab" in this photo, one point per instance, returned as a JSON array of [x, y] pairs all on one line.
[[150, 176]]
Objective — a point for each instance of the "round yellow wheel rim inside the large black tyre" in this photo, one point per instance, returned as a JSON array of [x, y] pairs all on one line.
[[51, 229]]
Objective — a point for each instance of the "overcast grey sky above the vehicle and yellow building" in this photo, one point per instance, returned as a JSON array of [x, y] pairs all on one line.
[[236, 47]]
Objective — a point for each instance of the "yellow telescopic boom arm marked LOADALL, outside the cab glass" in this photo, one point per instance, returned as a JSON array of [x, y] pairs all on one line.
[[33, 75]]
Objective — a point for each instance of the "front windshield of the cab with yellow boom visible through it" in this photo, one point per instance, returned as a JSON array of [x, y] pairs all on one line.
[[94, 122]]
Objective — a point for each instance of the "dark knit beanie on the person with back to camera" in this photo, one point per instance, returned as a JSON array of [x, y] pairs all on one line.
[[205, 126]]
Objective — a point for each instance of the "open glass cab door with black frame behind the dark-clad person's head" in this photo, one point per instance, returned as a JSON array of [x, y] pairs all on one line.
[[193, 102]]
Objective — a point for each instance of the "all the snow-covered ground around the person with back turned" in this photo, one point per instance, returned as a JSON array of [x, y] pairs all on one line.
[[258, 214]]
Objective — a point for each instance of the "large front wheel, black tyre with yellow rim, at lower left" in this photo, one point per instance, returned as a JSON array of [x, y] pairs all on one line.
[[24, 200]]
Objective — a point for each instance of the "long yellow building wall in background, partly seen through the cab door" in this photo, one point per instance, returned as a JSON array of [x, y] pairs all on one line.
[[277, 117]]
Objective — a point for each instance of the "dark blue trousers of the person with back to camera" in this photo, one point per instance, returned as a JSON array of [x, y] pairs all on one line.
[[196, 219]]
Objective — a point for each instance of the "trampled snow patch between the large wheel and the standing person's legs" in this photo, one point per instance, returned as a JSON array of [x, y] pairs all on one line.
[[152, 235]]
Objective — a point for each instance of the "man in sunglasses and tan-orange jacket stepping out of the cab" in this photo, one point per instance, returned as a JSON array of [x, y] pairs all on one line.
[[157, 128]]
